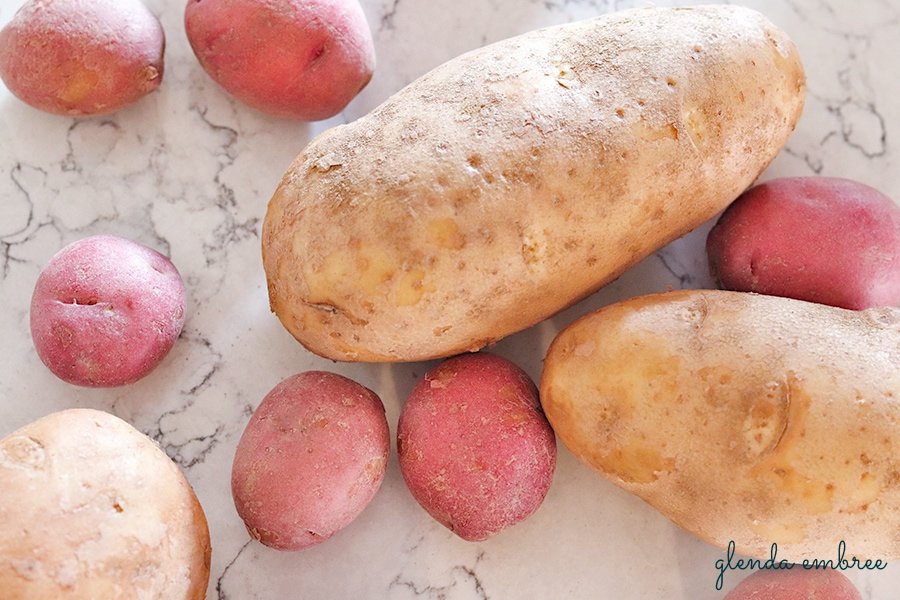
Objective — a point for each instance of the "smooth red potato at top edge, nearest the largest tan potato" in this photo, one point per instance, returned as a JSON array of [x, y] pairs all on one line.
[[300, 59]]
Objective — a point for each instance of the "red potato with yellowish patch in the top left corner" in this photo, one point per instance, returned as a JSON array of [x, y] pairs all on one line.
[[82, 57]]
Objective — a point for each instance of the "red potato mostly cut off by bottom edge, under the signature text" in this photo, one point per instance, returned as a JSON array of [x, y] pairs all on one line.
[[795, 584]]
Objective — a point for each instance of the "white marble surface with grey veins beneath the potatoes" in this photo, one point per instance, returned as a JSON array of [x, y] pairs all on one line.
[[189, 171]]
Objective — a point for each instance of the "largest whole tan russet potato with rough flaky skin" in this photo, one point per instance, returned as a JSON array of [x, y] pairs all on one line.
[[516, 179]]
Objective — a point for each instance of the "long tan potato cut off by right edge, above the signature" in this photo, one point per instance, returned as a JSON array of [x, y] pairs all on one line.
[[741, 417]]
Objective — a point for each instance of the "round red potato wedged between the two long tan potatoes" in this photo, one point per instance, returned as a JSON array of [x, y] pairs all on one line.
[[475, 449]]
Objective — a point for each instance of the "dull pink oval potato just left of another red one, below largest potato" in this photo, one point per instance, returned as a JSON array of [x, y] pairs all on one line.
[[310, 460]]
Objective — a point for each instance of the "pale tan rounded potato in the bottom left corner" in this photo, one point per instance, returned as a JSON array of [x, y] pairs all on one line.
[[91, 508]]
